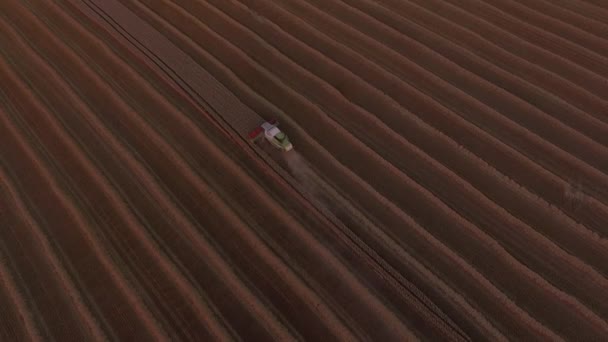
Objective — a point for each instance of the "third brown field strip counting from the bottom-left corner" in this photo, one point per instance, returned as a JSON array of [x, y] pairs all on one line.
[[65, 215]]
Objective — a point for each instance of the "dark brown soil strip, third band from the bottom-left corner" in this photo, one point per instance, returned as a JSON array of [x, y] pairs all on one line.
[[73, 233]]
